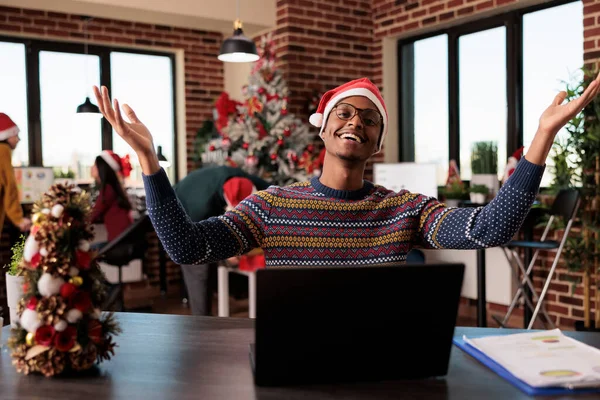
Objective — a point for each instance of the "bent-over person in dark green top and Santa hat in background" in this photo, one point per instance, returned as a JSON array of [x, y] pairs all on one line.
[[204, 193]]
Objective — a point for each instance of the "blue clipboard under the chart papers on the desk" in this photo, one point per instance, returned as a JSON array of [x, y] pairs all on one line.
[[503, 372]]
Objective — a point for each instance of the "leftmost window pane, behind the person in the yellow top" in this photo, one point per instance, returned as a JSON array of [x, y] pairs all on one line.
[[13, 102]]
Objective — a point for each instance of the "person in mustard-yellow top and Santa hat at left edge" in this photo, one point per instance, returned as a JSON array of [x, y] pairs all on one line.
[[9, 196]]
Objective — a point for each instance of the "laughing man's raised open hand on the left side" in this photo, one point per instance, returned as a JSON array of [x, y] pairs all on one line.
[[134, 133]]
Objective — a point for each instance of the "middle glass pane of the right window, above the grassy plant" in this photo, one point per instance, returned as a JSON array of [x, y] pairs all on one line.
[[482, 94]]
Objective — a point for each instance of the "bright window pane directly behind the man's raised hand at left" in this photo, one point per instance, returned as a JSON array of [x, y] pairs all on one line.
[[146, 82]]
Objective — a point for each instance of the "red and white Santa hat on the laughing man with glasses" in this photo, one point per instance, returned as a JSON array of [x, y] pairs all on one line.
[[358, 87]]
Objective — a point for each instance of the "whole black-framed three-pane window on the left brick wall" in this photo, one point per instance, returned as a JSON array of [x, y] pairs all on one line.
[[47, 81]]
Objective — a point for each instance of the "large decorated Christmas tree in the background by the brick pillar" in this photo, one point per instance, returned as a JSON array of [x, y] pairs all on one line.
[[260, 135]]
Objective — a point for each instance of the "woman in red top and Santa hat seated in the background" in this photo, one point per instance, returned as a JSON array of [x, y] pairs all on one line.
[[112, 207]]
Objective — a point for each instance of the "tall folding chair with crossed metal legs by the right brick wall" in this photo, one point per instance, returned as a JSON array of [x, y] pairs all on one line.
[[565, 206]]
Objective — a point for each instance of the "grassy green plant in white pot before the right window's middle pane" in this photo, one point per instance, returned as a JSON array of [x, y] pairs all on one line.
[[484, 165]]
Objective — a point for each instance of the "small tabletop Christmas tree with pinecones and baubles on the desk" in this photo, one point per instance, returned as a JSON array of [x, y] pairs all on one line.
[[60, 326]]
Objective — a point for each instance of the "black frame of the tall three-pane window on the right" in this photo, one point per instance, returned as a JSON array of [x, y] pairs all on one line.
[[513, 22]]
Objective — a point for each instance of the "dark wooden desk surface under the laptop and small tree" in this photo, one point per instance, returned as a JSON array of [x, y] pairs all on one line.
[[182, 357]]
